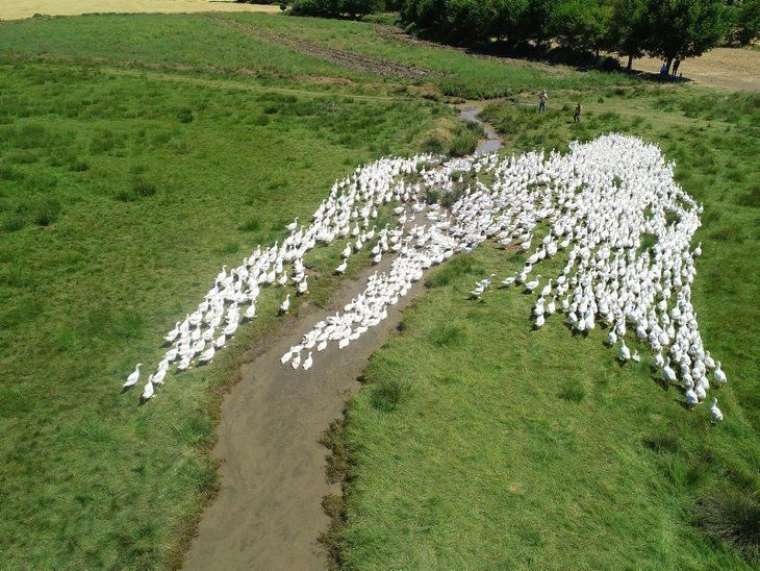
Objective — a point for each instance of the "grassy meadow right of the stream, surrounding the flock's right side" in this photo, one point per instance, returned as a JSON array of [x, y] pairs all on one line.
[[507, 448]]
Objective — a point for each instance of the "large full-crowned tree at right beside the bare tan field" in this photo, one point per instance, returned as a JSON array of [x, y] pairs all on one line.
[[678, 29]]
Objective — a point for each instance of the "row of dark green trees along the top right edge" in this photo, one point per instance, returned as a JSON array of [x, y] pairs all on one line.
[[671, 30]]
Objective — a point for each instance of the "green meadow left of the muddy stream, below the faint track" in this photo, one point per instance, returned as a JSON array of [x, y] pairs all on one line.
[[120, 199]]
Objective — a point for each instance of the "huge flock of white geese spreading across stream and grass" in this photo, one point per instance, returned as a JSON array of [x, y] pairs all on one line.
[[610, 206]]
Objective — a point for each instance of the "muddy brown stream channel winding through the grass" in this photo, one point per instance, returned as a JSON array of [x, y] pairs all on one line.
[[268, 513]]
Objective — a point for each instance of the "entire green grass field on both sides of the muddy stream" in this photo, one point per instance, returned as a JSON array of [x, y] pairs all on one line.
[[140, 153]]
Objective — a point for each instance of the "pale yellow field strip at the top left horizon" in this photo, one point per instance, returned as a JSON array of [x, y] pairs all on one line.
[[18, 9]]
